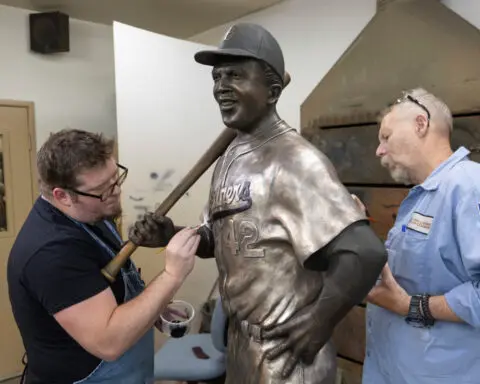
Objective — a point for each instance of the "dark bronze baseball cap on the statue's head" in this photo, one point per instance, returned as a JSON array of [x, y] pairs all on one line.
[[249, 41]]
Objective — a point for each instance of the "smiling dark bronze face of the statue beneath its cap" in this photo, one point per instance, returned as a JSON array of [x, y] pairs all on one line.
[[241, 92]]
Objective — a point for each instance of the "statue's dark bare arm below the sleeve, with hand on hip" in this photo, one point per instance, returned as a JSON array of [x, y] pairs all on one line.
[[351, 262]]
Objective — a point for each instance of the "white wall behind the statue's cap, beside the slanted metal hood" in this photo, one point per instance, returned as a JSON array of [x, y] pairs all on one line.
[[313, 35]]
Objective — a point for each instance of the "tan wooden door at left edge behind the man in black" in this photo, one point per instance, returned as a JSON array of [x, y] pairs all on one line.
[[18, 190]]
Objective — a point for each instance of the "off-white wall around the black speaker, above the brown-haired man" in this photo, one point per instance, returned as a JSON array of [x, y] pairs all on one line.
[[74, 89]]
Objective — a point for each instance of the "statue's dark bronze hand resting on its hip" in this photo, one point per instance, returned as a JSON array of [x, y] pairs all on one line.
[[304, 336]]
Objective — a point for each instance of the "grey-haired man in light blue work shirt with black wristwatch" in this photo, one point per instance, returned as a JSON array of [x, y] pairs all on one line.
[[423, 316]]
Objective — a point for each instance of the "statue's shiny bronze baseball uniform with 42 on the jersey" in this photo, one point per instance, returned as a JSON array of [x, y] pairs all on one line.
[[275, 199]]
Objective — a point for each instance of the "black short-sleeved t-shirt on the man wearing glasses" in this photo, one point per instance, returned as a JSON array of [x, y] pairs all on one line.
[[54, 264]]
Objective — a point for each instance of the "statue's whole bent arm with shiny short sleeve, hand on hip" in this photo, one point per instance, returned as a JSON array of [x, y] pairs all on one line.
[[329, 234]]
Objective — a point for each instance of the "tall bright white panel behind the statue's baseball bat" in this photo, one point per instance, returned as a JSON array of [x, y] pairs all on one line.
[[165, 123]]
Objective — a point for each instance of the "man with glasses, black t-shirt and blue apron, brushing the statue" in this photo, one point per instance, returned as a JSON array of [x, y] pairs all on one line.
[[76, 326]]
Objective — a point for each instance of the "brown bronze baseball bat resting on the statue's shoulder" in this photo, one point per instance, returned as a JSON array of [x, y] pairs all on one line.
[[111, 270]]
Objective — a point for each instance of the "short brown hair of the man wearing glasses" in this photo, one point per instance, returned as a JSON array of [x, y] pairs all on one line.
[[67, 153]]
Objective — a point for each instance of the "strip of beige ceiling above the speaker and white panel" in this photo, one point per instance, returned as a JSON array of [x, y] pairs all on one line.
[[176, 18]]
